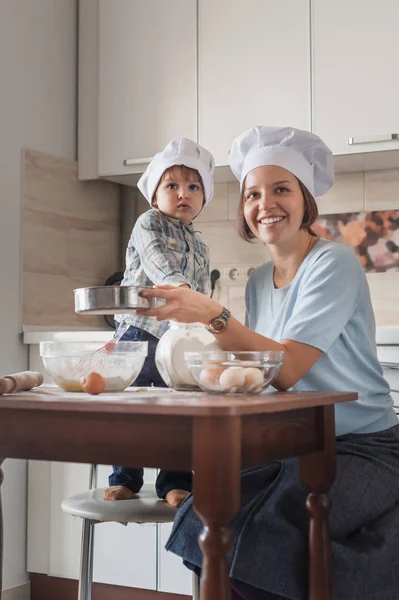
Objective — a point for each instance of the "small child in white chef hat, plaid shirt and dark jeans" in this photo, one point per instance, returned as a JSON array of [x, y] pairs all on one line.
[[165, 250]]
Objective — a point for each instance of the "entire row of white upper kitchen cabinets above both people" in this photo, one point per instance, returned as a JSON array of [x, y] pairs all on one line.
[[151, 71]]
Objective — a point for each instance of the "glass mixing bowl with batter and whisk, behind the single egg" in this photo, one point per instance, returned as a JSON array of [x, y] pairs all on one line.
[[67, 362]]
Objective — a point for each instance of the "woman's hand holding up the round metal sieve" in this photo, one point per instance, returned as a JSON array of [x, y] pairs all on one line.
[[181, 304]]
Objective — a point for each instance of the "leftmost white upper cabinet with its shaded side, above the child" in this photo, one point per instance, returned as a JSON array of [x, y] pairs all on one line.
[[137, 82]]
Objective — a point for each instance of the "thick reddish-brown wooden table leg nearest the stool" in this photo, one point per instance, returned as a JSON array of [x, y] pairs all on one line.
[[217, 463]]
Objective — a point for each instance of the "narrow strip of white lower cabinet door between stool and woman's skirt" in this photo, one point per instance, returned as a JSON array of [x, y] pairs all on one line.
[[173, 576]]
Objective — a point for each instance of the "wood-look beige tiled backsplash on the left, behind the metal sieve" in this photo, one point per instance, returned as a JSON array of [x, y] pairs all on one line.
[[71, 237]]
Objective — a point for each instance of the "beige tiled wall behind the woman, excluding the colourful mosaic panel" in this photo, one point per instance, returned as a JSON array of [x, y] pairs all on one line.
[[352, 192]]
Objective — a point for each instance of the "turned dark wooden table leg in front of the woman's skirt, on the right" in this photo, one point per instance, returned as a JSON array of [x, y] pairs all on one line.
[[317, 472]]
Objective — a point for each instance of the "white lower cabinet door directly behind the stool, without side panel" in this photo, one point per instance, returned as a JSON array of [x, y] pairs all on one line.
[[122, 555]]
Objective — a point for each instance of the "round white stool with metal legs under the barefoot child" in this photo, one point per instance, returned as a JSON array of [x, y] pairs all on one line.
[[92, 508]]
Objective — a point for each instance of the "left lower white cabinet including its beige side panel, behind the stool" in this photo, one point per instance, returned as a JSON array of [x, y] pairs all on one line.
[[123, 555]]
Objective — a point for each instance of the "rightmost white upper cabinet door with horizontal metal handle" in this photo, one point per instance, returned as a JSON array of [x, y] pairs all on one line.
[[355, 66]]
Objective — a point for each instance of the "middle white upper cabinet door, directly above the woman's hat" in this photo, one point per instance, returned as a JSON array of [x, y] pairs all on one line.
[[254, 68]]
